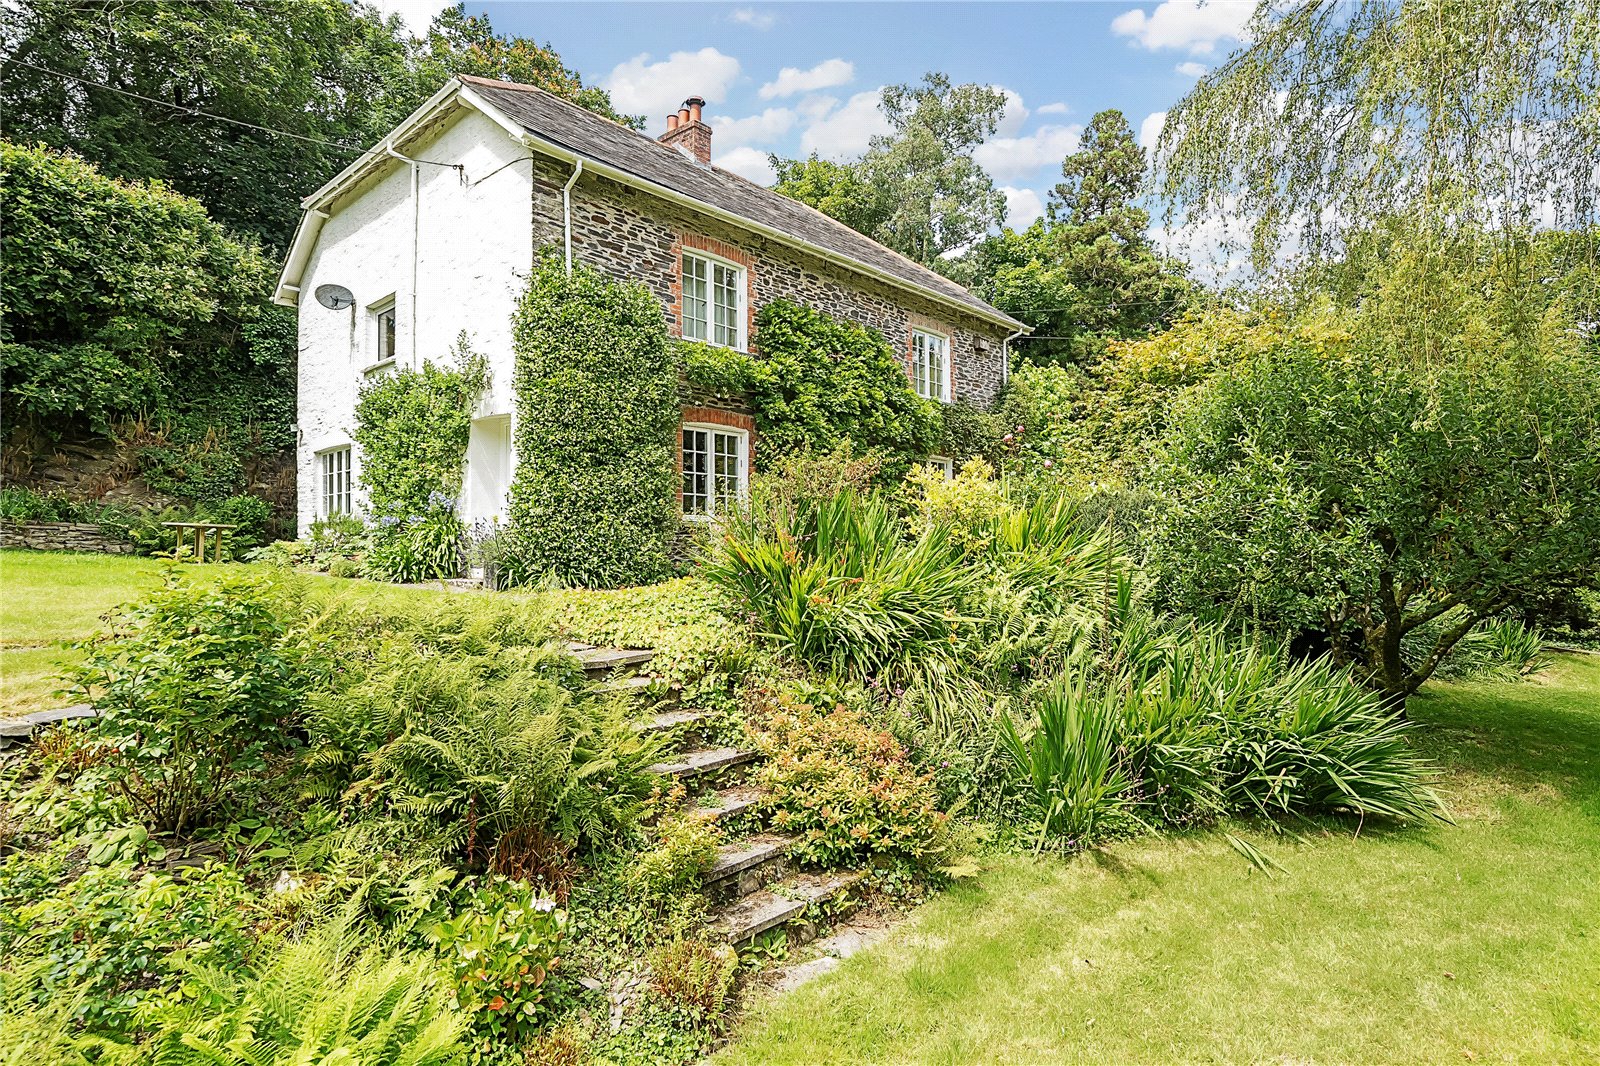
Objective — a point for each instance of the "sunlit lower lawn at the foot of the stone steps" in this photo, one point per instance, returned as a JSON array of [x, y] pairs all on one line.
[[1479, 940]]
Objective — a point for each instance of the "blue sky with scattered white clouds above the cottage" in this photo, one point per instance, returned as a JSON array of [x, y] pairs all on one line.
[[804, 78]]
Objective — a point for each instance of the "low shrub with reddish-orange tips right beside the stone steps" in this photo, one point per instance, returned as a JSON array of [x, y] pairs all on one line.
[[846, 788]]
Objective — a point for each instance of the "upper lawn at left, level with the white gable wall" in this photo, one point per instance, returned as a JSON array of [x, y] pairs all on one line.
[[49, 598]]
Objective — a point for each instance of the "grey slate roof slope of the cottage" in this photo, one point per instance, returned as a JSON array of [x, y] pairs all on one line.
[[586, 134]]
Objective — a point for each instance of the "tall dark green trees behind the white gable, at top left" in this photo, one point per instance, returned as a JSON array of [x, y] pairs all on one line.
[[321, 71]]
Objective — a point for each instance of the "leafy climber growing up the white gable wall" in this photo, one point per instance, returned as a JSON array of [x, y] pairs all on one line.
[[412, 428]]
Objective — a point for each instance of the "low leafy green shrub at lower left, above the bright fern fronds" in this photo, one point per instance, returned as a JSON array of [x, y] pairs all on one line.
[[119, 944]]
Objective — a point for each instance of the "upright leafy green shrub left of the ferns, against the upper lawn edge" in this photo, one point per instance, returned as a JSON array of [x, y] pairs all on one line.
[[198, 687]]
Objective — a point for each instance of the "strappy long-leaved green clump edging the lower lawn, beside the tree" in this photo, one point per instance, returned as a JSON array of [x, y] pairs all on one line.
[[1154, 724]]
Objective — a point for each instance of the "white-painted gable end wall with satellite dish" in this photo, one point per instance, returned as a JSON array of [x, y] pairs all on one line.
[[476, 250]]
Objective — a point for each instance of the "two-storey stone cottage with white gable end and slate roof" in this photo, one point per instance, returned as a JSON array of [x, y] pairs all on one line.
[[434, 233]]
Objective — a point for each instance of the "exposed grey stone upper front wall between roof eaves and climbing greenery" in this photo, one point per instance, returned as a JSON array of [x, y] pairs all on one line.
[[634, 236]]
